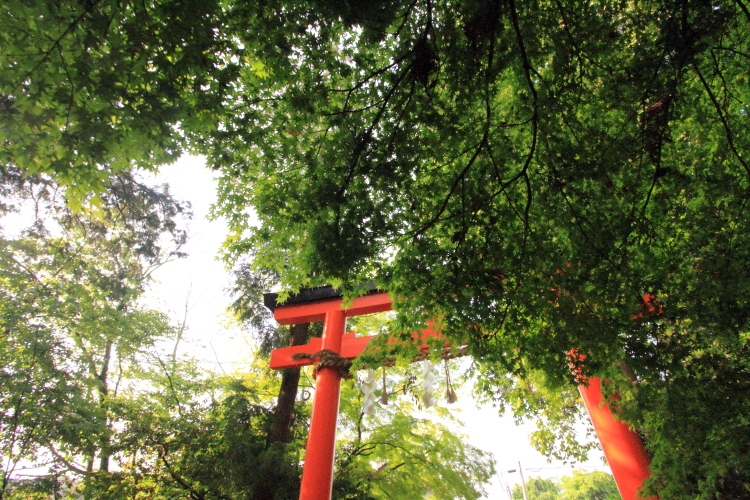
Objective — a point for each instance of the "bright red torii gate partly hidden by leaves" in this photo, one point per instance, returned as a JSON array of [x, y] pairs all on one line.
[[622, 446]]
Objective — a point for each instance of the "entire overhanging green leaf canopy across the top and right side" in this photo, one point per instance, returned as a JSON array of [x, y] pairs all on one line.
[[543, 176]]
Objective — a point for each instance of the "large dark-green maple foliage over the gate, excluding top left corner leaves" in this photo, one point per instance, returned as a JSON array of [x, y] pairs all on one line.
[[530, 173]]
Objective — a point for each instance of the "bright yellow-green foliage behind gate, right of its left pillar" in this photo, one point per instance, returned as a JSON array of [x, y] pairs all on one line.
[[396, 455]]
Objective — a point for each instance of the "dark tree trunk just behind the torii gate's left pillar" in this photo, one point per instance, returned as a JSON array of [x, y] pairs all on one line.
[[282, 415]]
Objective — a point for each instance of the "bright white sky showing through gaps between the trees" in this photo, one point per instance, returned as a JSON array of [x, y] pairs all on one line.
[[200, 281]]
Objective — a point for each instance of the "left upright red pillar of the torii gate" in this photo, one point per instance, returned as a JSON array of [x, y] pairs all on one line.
[[317, 472]]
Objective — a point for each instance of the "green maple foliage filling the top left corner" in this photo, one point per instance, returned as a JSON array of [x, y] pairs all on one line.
[[94, 88]]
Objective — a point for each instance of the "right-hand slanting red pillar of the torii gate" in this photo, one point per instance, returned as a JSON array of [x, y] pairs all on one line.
[[626, 455]]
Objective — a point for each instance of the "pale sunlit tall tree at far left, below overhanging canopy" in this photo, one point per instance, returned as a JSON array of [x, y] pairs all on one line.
[[72, 321]]
